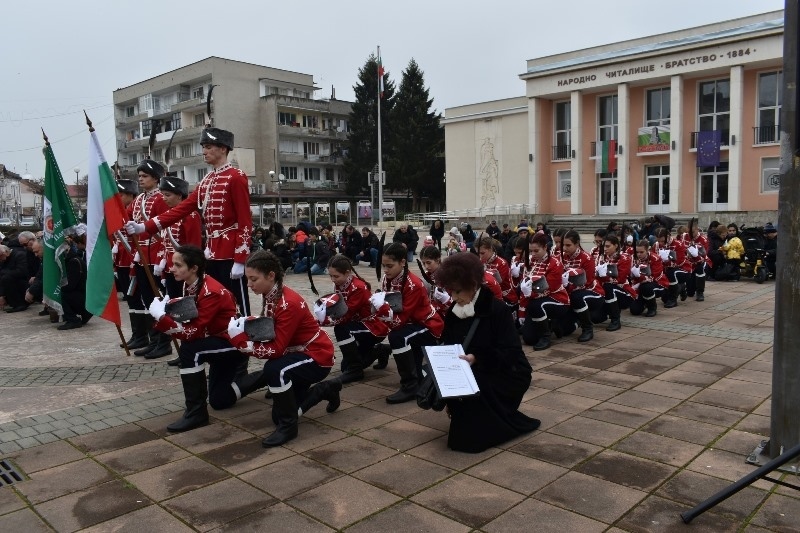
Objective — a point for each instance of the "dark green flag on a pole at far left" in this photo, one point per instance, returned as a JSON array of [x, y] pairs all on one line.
[[59, 219]]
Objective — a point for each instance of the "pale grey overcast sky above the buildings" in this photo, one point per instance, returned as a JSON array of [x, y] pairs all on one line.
[[61, 57]]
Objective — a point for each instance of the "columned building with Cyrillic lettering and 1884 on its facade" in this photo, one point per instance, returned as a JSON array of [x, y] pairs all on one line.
[[624, 128]]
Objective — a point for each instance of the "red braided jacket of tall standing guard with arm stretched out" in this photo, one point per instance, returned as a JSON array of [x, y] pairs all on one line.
[[223, 199]]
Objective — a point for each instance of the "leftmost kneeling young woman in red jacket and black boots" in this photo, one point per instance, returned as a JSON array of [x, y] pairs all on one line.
[[204, 339]]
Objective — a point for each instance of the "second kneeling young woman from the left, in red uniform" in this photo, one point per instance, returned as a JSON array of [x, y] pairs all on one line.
[[300, 355]]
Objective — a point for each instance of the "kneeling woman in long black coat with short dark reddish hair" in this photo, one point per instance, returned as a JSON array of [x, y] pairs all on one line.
[[495, 354]]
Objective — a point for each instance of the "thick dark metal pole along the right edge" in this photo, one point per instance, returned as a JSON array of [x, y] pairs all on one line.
[[785, 414]]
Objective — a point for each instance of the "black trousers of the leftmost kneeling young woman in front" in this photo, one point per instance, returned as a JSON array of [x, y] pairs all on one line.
[[223, 360]]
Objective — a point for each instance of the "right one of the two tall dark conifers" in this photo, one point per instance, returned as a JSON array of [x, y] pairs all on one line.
[[417, 140]]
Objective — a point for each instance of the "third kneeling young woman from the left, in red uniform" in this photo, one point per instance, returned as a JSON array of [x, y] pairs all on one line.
[[357, 334]]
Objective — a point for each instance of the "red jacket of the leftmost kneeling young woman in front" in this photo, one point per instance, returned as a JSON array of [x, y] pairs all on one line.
[[215, 307]]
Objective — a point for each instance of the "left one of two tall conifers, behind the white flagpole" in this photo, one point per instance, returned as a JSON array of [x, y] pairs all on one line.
[[362, 142]]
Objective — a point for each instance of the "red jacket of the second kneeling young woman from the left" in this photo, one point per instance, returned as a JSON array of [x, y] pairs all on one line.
[[296, 330]]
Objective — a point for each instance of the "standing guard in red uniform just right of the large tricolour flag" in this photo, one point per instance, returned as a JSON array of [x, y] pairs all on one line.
[[148, 204]]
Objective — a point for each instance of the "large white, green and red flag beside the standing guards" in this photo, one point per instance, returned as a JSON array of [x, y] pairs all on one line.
[[105, 215]]
